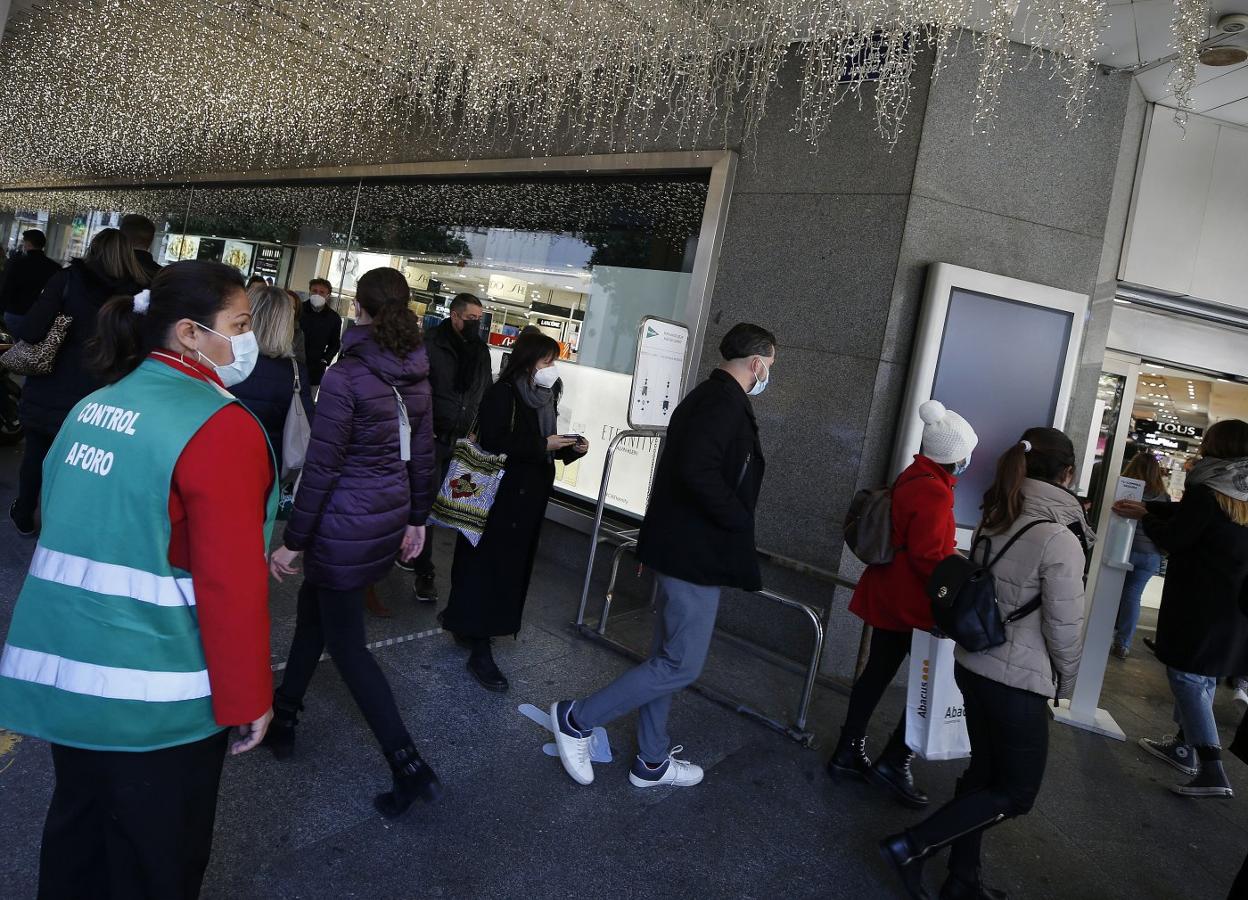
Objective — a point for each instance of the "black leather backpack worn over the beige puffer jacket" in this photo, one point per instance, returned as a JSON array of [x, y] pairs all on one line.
[[965, 597]]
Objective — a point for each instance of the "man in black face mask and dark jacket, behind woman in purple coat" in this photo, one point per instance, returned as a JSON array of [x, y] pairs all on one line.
[[460, 373]]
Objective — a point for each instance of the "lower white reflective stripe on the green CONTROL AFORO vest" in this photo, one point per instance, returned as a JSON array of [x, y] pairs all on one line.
[[103, 681]]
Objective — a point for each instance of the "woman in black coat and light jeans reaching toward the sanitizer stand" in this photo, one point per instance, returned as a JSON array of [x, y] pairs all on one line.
[[1202, 632]]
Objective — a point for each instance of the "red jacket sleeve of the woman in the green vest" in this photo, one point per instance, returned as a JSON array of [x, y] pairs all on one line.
[[223, 481]]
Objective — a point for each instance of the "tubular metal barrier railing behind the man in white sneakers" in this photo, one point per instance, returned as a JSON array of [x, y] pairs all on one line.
[[627, 541]]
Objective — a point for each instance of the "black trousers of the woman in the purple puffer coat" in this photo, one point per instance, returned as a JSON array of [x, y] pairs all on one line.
[[335, 621]]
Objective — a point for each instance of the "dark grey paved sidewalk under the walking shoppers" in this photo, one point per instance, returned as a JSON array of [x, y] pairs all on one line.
[[767, 823]]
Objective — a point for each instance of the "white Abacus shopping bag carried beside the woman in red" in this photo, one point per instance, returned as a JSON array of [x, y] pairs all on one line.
[[935, 722]]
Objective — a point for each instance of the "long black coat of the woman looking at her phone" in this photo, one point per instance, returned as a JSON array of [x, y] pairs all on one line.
[[491, 581]]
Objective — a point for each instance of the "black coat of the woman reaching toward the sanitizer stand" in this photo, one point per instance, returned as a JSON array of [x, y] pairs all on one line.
[[1202, 627]]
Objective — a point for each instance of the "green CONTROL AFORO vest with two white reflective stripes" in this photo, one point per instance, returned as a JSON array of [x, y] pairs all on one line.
[[104, 650]]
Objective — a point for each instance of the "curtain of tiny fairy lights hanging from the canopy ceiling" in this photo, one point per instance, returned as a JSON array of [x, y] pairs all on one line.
[[147, 89]]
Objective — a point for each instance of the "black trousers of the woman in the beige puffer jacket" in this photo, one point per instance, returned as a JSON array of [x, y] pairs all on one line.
[[1009, 731]]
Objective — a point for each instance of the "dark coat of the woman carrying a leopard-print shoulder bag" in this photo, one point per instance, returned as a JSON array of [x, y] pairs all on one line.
[[78, 291]]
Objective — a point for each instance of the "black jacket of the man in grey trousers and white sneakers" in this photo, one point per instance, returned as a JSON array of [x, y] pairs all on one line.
[[700, 526]]
